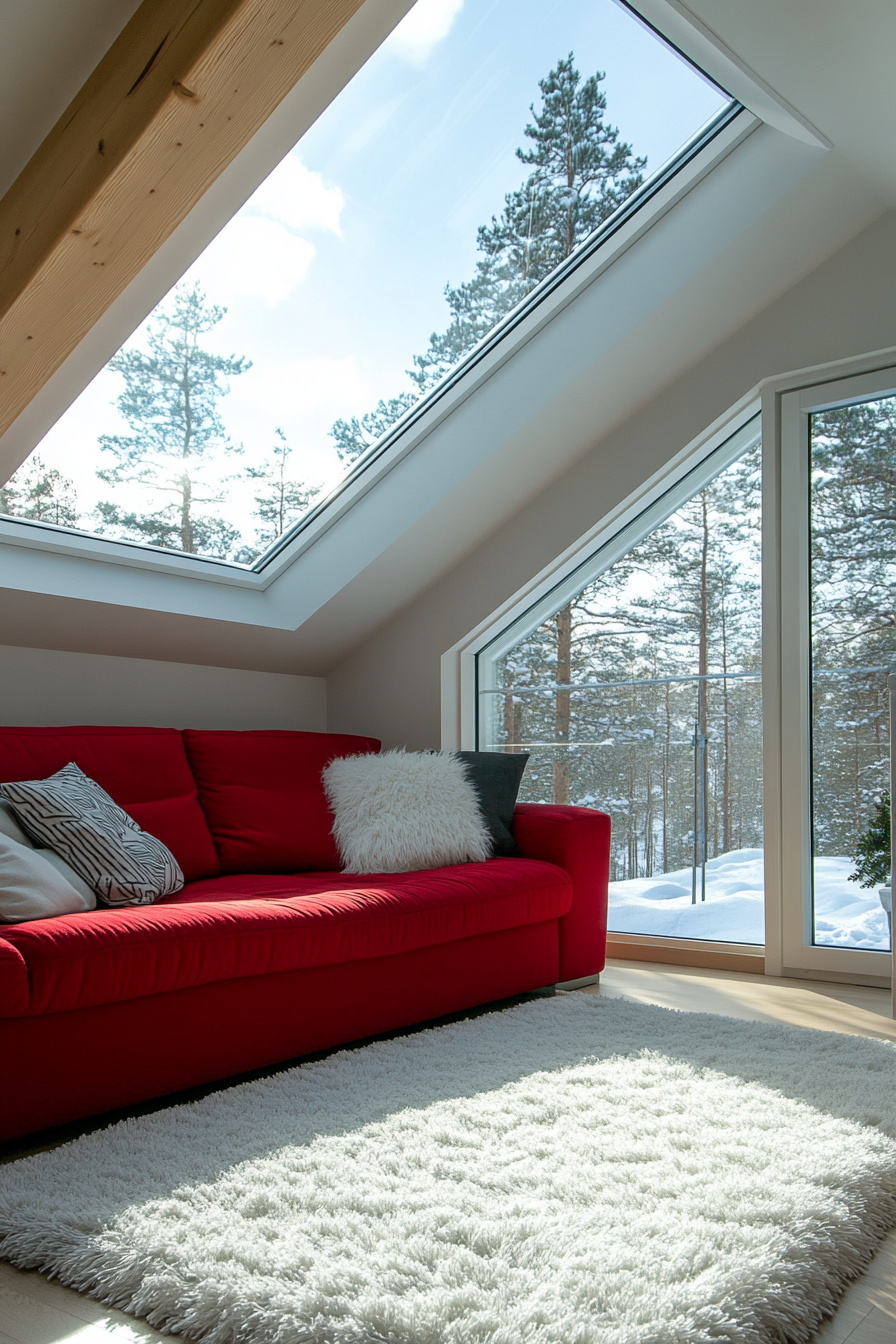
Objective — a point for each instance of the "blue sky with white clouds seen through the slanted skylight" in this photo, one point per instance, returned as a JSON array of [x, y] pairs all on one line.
[[334, 271]]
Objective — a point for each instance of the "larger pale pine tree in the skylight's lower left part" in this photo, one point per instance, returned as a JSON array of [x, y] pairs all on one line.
[[178, 437]]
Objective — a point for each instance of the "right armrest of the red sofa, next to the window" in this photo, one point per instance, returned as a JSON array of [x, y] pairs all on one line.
[[577, 839]]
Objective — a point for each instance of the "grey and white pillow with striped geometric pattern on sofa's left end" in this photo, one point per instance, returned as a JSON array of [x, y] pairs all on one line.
[[71, 814]]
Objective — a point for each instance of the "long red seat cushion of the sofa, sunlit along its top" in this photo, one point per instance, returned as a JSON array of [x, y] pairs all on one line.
[[236, 927]]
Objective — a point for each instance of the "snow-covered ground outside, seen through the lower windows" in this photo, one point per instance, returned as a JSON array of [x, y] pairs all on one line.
[[847, 916]]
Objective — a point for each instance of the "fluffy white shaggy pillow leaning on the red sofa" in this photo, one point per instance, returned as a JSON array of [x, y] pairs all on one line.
[[404, 811]]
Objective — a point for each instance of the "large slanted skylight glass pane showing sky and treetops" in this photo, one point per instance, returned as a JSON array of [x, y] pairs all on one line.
[[474, 153]]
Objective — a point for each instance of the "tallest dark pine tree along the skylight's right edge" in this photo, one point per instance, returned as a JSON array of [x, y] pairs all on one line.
[[582, 173]]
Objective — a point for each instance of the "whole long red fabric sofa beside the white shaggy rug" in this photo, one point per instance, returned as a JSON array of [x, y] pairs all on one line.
[[269, 952]]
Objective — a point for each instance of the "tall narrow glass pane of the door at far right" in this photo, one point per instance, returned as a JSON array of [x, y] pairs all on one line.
[[854, 644]]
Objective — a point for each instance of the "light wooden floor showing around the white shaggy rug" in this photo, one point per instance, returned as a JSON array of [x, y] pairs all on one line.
[[36, 1311]]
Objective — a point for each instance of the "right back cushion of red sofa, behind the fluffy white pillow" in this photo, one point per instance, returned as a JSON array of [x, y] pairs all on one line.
[[264, 799]]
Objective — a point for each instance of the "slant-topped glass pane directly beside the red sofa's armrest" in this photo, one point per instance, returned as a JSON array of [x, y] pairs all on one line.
[[641, 697]]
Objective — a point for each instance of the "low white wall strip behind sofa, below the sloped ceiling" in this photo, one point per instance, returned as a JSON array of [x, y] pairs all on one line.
[[46, 687]]
